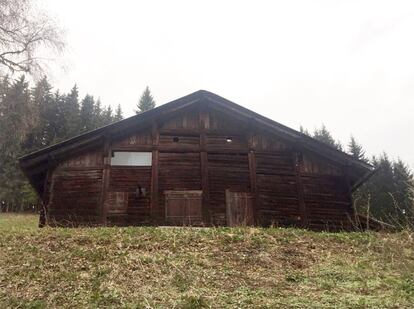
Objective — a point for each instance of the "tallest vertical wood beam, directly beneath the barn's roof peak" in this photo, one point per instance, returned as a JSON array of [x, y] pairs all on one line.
[[204, 124]]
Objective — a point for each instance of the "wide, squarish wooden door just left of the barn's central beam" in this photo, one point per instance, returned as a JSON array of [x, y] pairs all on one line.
[[183, 207]]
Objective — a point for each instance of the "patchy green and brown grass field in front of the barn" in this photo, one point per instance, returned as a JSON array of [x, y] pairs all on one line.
[[201, 268]]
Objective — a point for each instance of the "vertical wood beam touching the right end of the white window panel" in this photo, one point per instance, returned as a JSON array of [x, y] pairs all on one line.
[[155, 211]]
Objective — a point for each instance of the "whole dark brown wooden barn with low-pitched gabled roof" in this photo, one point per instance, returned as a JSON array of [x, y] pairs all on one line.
[[199, 160]]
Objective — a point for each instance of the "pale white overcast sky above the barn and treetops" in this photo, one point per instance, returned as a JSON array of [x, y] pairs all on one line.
[[347, 64]]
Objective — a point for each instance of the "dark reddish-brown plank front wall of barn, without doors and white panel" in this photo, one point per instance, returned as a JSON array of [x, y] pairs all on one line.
[[204, 149]]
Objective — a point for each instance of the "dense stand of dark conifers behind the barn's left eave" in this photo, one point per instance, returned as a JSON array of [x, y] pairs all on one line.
[[33, 119]]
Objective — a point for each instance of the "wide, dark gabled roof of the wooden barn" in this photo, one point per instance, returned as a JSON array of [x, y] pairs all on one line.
[[37, 159]]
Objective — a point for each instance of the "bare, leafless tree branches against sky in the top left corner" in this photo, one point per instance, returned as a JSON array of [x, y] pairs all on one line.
[[25, 32]]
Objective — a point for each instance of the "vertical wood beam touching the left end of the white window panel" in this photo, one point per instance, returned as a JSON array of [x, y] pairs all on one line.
[[106, 174]]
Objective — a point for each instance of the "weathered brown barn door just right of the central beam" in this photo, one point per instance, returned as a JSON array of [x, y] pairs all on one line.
[[239, 208]]
